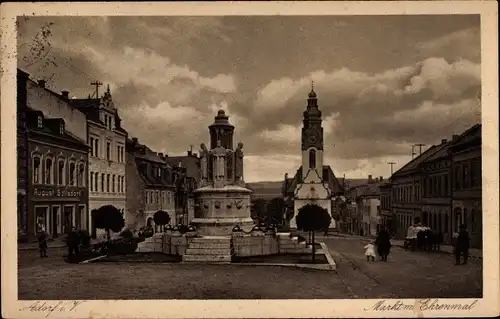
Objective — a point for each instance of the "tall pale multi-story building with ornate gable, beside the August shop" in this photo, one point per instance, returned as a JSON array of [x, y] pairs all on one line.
[[106, 138]]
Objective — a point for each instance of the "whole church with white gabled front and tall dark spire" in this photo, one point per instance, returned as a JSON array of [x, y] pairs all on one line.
[[314, 182]]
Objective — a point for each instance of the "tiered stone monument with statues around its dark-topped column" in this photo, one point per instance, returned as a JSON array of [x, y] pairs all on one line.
[[222, 201]]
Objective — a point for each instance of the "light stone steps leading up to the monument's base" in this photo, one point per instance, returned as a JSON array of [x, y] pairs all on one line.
[[209, 249]]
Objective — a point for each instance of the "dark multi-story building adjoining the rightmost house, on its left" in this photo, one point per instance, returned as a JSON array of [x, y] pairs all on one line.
[[436, 200]]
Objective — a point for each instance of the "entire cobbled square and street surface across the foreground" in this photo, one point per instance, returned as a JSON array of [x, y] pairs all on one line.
[[405, 275]]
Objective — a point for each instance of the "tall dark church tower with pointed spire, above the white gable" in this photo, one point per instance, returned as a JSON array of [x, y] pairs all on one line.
[[312, 141]]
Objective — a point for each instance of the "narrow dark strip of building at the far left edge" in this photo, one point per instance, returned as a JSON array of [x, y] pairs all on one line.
[[22, 155]]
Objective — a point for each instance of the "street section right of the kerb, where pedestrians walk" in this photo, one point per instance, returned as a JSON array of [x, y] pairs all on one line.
[[406, 274]]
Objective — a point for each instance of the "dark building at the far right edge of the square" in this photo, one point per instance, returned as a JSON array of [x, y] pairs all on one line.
[[466, 183]]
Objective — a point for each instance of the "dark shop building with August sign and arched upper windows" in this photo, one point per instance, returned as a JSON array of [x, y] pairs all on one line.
[[57, 177]]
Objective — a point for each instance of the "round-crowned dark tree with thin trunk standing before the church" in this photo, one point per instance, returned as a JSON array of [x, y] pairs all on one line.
[[312, 218]]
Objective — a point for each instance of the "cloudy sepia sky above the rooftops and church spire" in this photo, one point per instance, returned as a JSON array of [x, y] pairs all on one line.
[[383, 82]]
